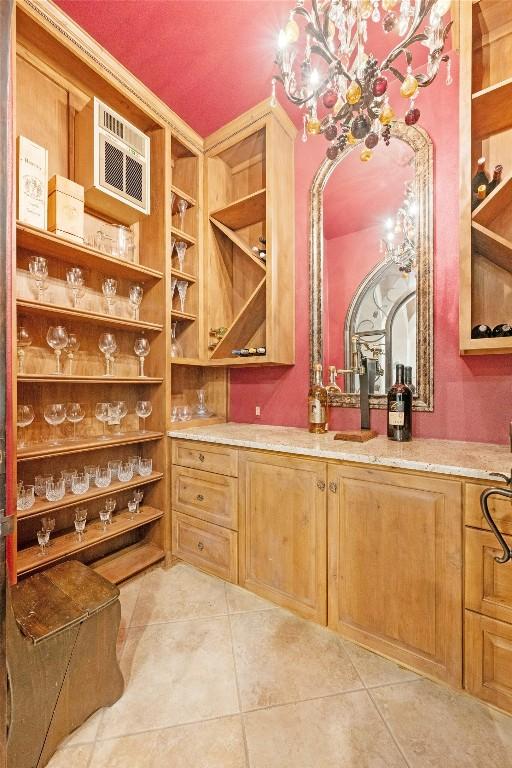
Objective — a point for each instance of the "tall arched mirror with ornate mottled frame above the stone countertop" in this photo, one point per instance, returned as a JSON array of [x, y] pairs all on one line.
[[371, 268]]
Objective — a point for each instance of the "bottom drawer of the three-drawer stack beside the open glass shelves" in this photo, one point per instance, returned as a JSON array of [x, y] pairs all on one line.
[[207, 546]]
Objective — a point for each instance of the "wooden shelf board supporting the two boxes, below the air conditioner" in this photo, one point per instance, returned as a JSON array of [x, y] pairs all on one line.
[[47, 244]]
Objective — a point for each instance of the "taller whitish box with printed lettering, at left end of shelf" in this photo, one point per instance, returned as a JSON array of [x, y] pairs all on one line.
[[32, 181]]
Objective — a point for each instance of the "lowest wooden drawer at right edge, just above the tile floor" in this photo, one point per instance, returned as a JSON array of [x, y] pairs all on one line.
[[488, 660]]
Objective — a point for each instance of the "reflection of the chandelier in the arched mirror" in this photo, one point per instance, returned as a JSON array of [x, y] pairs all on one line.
[[402, 253]]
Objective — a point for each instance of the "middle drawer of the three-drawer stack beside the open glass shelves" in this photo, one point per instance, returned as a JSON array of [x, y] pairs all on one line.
[[210, 497]]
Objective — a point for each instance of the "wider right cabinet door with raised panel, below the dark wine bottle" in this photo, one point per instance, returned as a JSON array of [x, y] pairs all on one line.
[[395, 566]]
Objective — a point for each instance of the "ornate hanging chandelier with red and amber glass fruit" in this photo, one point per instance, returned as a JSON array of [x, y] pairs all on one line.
[[325, 69]]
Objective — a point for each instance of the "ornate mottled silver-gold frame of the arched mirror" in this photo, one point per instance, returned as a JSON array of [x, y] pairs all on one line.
[[421, 144]]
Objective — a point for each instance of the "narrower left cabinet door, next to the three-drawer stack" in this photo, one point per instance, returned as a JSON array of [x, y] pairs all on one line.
[[283, 531]]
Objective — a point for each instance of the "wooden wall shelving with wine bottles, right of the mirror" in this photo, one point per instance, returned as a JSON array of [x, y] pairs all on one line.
[[485, 130]]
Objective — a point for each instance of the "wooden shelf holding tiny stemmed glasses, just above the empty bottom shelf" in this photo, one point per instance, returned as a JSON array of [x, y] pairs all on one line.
[[63, 545]]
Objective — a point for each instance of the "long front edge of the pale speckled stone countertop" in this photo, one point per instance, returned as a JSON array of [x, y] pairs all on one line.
[[325, 453]]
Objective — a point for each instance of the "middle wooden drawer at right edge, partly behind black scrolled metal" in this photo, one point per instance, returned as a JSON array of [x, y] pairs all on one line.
[[488, 583]]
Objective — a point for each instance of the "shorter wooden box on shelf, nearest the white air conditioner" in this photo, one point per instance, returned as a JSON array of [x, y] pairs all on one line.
[[66, 208]]
